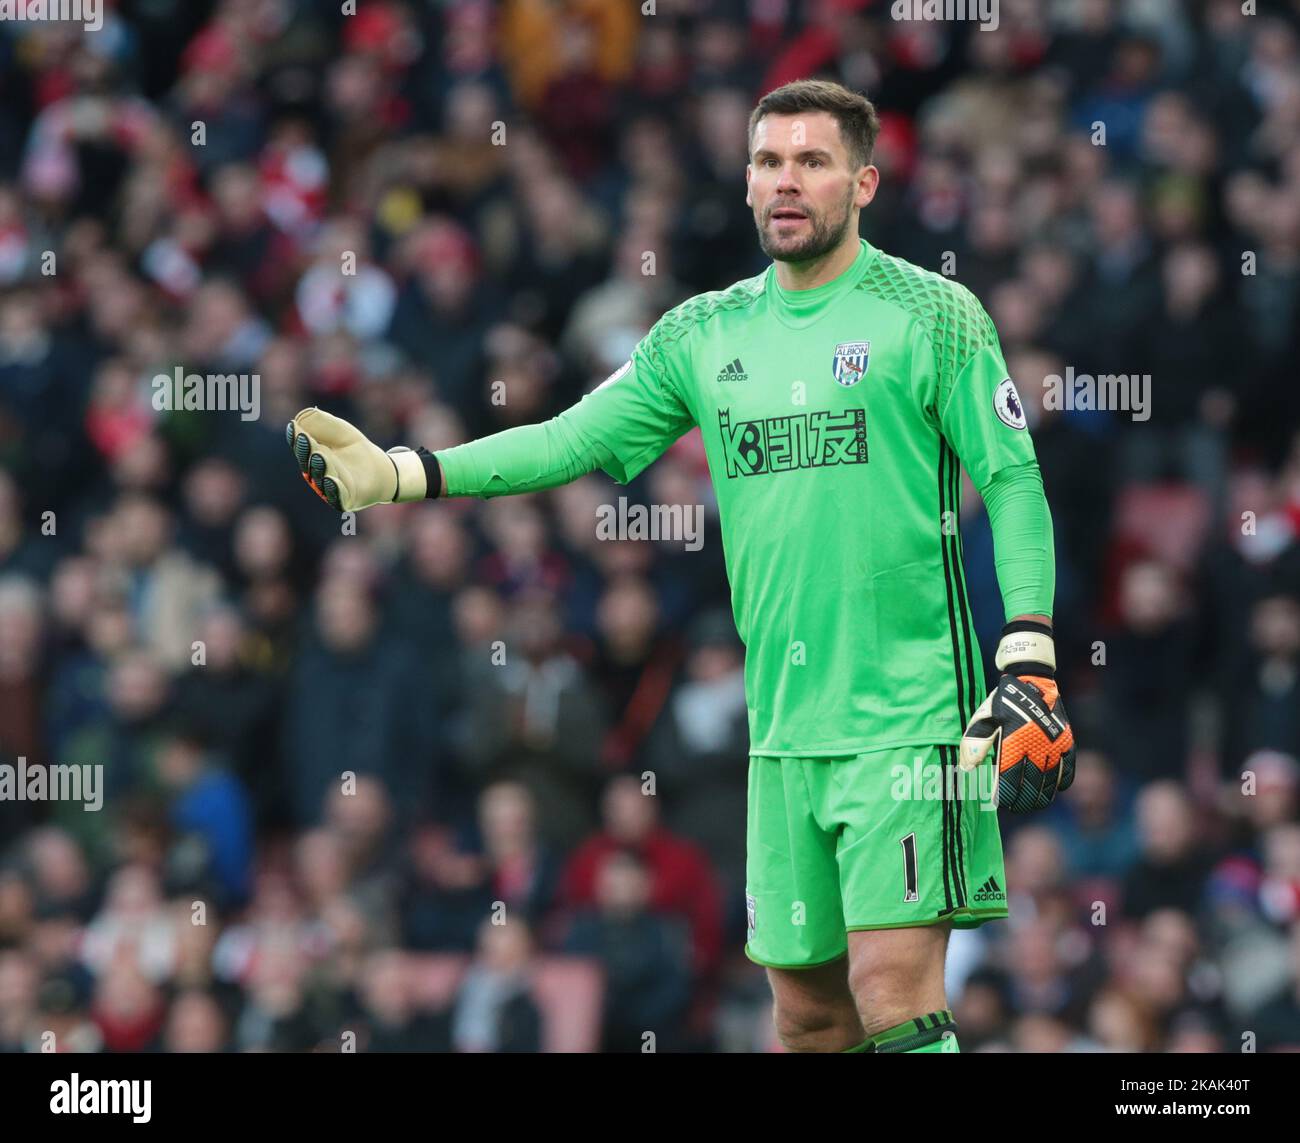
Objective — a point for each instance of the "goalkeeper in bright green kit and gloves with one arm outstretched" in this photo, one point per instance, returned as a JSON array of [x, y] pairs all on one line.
[[839, 393]]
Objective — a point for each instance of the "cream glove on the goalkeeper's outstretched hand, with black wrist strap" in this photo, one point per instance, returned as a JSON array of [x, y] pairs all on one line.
[[349, 471]]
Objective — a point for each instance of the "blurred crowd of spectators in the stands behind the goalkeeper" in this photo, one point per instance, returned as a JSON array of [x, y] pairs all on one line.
[[337, 759]]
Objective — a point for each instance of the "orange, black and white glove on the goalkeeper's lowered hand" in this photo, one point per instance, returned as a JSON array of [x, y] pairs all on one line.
[[1024, 722]]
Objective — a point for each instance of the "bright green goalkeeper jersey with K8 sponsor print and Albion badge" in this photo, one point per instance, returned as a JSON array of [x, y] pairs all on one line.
[[834, 421]]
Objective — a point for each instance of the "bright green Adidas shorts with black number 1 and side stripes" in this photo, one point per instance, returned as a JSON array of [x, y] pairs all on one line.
[[883, 841]]
